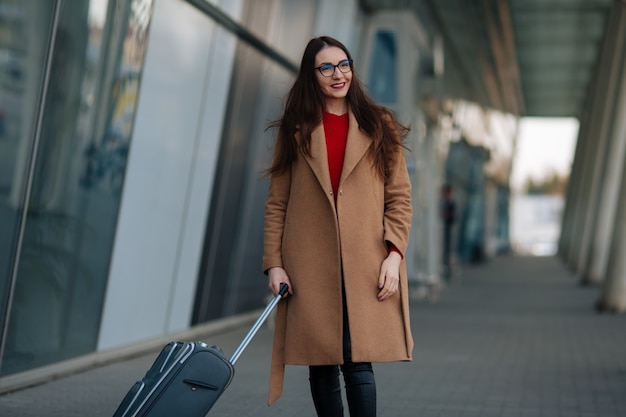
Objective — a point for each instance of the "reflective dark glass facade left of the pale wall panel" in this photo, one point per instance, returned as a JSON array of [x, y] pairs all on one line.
[[67, 110]]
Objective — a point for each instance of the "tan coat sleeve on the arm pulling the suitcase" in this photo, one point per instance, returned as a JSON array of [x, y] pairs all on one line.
[[274, 221]]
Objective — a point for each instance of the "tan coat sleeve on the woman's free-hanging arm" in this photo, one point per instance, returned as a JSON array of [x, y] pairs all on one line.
[[398, 208]]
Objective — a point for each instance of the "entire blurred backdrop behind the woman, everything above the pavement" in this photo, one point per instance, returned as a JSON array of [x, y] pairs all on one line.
[[133, 137]]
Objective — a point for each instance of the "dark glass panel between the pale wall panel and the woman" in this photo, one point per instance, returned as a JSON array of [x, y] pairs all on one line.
[[234, 233]]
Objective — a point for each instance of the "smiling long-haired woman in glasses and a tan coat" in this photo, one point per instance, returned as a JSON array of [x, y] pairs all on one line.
[[337, 222]]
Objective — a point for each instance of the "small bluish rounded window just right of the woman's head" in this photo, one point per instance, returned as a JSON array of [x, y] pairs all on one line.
[[383, 71]]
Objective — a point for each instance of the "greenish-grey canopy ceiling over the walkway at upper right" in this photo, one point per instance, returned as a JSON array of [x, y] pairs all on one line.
[[525, 57]]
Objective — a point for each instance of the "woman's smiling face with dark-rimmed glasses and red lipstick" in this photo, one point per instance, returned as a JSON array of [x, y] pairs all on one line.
[[334, 86]]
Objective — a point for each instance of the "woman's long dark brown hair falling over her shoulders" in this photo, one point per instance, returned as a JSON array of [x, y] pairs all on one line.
[[304, 109]]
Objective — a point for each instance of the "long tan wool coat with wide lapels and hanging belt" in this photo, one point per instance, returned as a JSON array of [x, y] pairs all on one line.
[[311, 237]]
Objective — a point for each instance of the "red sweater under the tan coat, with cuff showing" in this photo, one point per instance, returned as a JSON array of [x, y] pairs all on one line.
[[336, 132]]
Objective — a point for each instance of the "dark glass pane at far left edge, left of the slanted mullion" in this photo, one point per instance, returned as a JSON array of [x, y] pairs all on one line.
[[24, 34]]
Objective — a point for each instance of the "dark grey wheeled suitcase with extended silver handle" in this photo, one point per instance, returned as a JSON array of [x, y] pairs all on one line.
[[187, 378]]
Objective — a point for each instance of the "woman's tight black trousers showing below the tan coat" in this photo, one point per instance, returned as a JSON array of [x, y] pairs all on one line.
[[358, 378]]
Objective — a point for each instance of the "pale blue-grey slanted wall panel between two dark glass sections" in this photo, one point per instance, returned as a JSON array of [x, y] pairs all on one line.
[[169, 178]]
